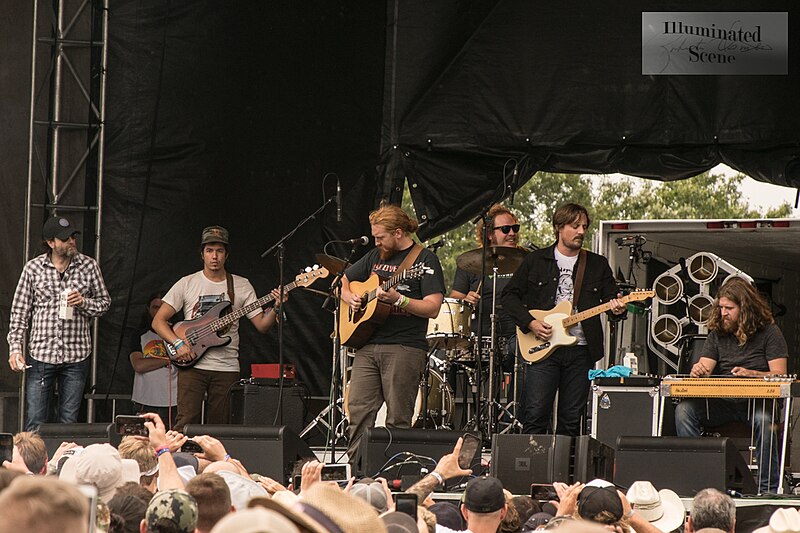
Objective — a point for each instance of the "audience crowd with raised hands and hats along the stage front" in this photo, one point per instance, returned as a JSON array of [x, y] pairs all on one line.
[[148, 485]]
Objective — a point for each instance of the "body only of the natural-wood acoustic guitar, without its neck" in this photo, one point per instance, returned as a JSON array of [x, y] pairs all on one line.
[[356, 328]]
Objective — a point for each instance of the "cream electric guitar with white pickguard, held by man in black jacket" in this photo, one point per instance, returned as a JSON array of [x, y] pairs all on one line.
[[561, 319]]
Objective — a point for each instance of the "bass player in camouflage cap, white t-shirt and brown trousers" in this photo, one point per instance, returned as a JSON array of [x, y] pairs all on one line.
[[218, 369]]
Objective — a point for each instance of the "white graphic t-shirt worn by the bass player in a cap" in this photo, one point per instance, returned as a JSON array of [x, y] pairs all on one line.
[[195, 295]]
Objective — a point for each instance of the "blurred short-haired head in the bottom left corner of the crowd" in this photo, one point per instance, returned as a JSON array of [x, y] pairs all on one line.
[[44, 505]]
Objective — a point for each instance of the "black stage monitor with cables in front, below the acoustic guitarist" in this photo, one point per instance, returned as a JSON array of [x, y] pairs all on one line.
[[394, 453]]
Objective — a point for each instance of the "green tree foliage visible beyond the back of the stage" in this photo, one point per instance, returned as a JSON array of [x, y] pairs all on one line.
[[706, 196]]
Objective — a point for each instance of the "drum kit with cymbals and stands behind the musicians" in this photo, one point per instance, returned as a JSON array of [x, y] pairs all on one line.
[[452, 343]]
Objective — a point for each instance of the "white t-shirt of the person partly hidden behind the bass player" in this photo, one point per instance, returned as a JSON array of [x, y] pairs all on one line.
[[159, 387]]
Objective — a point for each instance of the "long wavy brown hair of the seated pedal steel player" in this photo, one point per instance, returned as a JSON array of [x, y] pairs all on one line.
[[754, 311]]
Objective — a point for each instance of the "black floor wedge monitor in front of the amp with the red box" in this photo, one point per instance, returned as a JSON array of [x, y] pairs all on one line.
[[271, 451]]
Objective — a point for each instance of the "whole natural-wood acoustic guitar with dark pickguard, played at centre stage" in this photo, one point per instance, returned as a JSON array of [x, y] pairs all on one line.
[[356, 327]]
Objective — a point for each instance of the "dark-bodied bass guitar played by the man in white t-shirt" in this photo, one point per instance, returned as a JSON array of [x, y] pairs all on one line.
[[202, 333]]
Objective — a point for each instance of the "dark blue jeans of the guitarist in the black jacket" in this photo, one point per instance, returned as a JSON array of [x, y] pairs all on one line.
[[565, 371]]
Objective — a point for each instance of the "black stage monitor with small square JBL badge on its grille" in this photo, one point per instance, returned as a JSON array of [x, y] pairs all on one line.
[[519, 460]]
